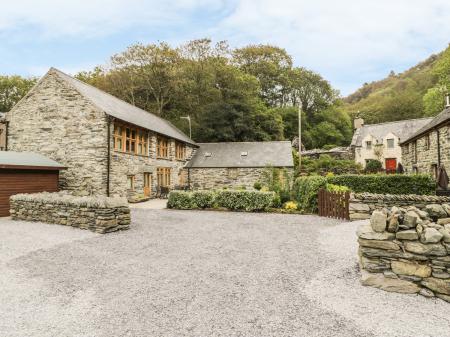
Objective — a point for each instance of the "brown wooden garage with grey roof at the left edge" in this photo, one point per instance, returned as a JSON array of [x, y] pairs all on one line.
[[26, 172]]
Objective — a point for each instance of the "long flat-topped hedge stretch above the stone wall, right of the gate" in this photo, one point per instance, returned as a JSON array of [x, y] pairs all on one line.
[[387, 183]]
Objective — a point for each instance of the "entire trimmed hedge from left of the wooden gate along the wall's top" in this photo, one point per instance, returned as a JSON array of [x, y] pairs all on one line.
[[306, 189]]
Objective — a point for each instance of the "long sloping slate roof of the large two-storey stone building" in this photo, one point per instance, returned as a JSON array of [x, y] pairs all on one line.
[[124, 111]]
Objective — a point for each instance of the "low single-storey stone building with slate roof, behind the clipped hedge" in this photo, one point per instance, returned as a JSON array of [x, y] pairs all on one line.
[[236, 164]]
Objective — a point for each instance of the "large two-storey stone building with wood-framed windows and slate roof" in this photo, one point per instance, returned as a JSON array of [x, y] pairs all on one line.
[[108, 146]]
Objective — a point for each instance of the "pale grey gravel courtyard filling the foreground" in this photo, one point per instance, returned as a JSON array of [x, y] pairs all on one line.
[[191, 273]]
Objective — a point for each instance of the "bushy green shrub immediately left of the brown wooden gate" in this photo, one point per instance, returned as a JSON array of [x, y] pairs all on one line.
[[307, 190]]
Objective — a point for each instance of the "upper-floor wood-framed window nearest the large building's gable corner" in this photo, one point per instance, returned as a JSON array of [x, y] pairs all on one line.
[[130, 140]]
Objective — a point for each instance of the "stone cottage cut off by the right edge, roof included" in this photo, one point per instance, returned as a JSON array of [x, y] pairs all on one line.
[[429, 147]]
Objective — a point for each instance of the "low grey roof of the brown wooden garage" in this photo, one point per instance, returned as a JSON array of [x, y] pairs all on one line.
[[27, 159]]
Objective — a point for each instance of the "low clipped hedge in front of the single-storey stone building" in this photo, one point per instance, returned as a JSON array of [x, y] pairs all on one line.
[[230, 199]]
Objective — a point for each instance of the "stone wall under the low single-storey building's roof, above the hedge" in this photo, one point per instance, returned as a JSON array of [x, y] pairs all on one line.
[[210, 178]]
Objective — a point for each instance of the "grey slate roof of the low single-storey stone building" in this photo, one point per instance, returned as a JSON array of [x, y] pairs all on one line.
[[229, 155]]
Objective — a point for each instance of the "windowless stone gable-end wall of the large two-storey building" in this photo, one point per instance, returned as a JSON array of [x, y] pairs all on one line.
[[53, 119]]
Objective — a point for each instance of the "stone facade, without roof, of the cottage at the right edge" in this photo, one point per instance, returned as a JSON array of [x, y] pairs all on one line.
[[427, 157]]
